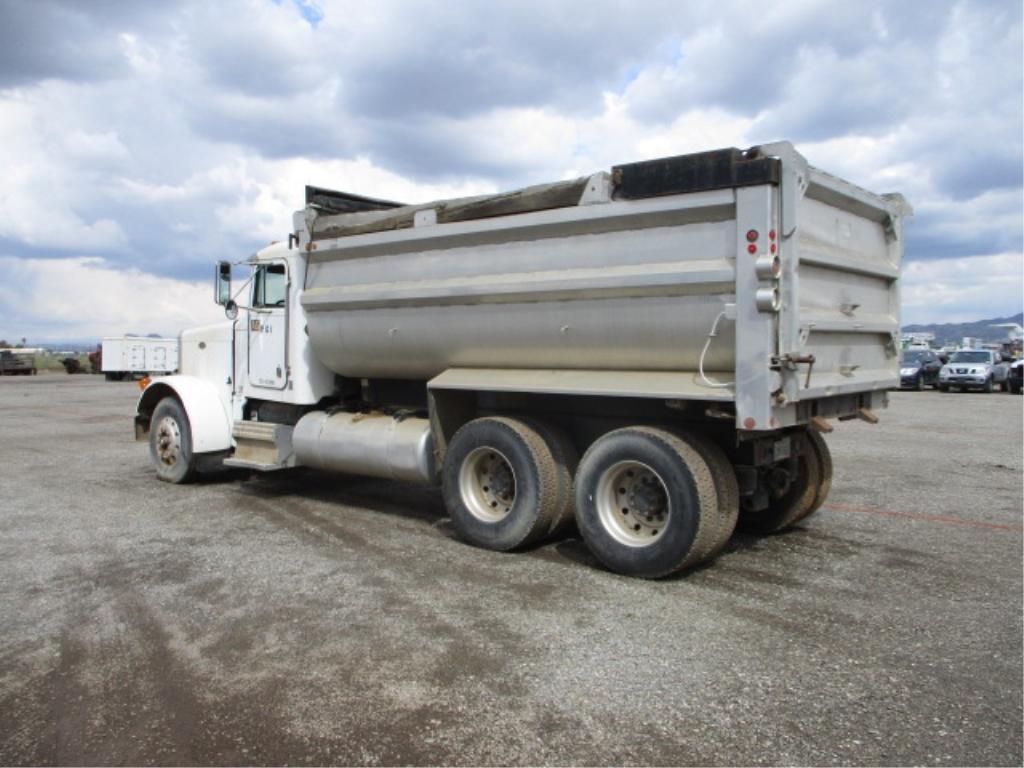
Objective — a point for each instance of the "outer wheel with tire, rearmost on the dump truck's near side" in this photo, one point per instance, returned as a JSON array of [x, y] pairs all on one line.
[[647, 504]]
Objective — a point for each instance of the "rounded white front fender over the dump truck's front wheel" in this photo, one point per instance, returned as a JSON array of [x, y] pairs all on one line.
[[208, 418]]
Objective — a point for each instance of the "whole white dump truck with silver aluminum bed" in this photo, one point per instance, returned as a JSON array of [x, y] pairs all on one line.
[[652, 352]]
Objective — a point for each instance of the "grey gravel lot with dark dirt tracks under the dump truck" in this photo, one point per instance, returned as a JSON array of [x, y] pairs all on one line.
[[309, 619]]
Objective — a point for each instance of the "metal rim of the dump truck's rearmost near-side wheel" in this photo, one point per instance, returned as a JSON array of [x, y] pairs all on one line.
[[633, 504]]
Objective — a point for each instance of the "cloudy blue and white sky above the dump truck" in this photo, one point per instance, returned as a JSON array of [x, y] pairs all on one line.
[[143, 142]]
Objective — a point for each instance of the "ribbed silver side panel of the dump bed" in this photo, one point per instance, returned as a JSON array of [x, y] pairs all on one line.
[[623, 286]]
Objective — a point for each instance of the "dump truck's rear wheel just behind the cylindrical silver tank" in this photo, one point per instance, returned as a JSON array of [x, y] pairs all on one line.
[[503, 485]]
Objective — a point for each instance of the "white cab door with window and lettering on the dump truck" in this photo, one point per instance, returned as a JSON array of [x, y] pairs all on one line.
[[269, 327]]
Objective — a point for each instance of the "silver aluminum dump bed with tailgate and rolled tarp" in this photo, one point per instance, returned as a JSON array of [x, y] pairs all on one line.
[[745, 278]]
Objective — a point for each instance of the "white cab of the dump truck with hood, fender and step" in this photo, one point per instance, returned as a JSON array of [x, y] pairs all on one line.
[[257, 362]]
